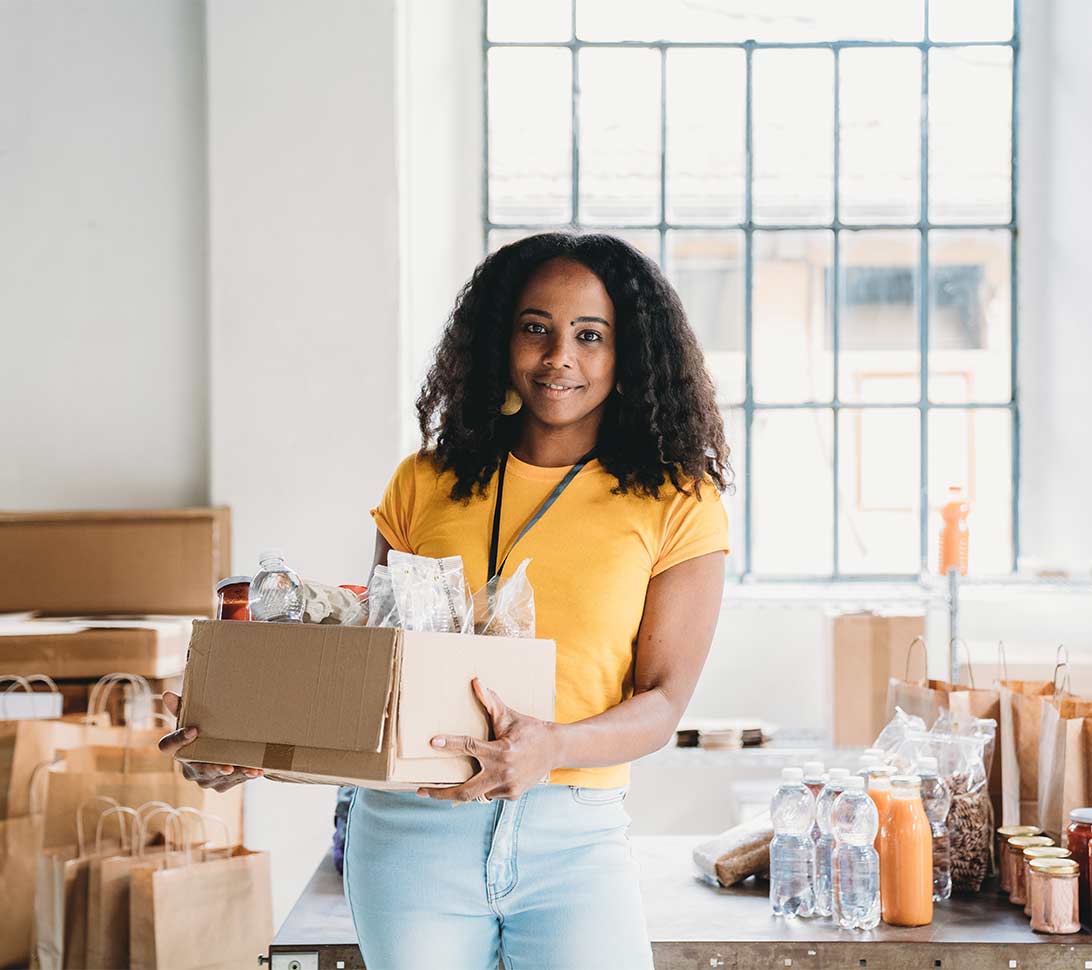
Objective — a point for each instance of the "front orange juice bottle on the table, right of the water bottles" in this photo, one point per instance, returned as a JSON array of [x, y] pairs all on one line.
[[907, 857]]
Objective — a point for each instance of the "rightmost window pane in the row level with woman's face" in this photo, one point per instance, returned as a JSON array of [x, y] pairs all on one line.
[[970, 318]]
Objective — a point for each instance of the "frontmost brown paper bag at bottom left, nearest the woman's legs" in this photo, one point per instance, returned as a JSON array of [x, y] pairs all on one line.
[[210, 915]]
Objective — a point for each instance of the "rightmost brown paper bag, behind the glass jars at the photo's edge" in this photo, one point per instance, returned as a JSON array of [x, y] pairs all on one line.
[[1065, 750]]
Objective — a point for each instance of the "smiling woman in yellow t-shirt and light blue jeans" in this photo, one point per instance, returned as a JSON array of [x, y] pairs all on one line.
[[567, 371]]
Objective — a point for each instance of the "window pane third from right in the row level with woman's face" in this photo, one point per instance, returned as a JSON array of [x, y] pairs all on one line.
[[791, 314]]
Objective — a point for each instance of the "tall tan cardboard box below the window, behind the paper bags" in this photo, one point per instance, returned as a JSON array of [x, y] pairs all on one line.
[[868, 652]]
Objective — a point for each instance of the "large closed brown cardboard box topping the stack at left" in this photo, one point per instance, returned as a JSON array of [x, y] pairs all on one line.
[[114, 562]]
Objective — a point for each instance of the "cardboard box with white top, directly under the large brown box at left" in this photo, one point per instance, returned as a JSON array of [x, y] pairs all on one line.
[[152, 647]]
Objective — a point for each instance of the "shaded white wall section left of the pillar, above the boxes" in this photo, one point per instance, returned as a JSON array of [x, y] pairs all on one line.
[[103, 360]]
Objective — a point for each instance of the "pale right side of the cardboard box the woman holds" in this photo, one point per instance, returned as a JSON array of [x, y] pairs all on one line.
[[436, 694]]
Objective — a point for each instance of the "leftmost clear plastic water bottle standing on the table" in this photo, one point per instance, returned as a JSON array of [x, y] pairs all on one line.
[[792, 851]]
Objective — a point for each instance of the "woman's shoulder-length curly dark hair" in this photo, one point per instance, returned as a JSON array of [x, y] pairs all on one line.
[[667, 424]]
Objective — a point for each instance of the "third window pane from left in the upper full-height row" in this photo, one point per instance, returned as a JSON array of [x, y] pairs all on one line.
[[706, 165]]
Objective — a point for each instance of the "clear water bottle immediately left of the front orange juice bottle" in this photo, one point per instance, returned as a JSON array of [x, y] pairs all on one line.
[[857, 865]]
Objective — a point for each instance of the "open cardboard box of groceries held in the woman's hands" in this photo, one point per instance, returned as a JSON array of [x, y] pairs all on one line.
[[335, 705]]
